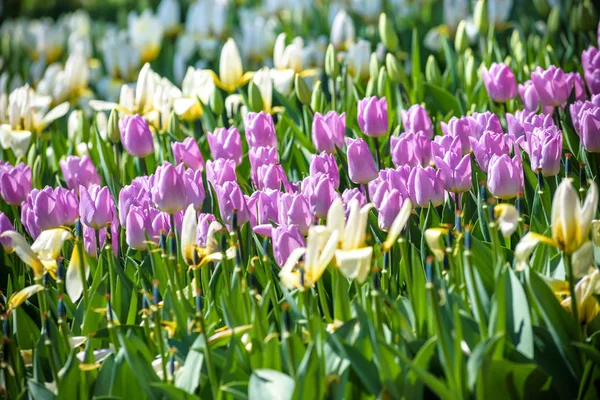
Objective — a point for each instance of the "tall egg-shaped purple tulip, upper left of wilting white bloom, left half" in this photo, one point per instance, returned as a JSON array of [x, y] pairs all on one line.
[[168, 189]]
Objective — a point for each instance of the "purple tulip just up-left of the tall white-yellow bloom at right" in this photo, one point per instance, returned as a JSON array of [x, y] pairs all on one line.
[[544, 147]]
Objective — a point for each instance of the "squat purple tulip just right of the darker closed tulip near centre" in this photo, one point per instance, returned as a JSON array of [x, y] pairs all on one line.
[[411, 149]]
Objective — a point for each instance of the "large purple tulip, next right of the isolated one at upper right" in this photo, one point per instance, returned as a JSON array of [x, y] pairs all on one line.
[[551, 86]]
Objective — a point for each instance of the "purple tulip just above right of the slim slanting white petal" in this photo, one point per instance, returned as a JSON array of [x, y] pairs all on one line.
[[425, 186]]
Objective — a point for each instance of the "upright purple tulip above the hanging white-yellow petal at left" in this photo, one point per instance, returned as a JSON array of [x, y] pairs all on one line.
[[96, 206]]
